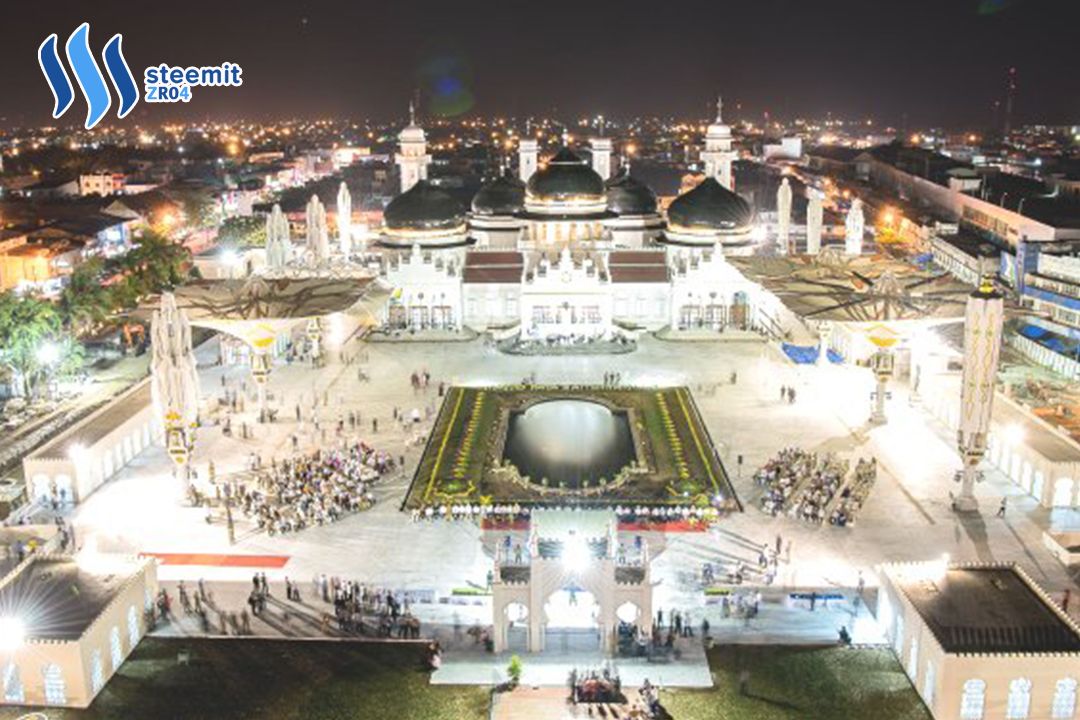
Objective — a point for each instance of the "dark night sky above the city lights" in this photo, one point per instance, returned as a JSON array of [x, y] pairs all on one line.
[[940, 62]]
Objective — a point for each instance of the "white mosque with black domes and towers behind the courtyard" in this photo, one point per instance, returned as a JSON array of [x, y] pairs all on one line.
[[569, 249]]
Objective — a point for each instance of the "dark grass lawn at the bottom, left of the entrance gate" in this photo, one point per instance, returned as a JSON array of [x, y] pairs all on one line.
[[280, 680]]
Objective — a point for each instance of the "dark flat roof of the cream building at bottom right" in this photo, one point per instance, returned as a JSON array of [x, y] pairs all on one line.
[[985, 609]]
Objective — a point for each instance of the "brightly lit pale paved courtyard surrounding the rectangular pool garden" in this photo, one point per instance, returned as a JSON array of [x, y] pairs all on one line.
[[907, 518]]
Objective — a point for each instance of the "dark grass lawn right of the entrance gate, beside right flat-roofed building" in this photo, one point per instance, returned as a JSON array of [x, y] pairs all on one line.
[[801, 684]]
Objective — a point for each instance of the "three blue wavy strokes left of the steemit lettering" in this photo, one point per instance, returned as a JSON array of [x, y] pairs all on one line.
[[88, 75]]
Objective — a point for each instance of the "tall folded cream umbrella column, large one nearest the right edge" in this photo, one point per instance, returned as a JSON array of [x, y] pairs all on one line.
[[982, 346]]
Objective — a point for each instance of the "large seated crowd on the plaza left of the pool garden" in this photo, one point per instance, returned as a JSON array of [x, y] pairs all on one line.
[[313, 490]]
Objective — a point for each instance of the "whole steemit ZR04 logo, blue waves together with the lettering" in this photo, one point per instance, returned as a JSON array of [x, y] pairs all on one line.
[[163, 84]]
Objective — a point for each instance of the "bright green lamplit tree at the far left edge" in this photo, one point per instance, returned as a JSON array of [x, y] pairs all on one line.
[[28, 325]]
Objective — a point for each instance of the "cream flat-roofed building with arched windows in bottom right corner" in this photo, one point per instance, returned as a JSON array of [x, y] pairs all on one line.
[[981, 641]]
